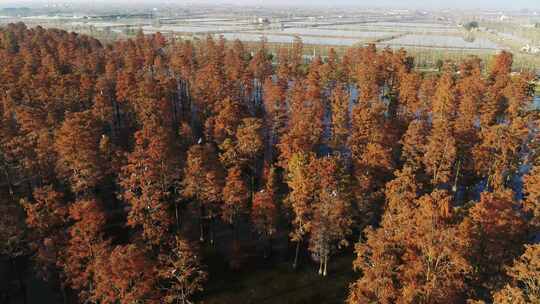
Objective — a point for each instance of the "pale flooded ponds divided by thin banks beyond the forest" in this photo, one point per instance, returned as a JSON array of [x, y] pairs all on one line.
[[394, 30]]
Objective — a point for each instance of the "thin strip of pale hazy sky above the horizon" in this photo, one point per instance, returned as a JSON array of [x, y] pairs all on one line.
[[493, 4]]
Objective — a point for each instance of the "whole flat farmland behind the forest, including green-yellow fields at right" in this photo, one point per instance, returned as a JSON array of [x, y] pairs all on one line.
[[430, 36]]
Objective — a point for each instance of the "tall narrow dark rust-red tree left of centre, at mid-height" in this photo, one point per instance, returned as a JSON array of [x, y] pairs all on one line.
[[148, 179]]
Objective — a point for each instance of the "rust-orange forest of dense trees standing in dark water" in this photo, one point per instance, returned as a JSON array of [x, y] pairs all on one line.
[[120, 161]]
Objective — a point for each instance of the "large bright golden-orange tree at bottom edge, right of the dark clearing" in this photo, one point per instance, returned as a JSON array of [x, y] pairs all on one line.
[[442, 264]]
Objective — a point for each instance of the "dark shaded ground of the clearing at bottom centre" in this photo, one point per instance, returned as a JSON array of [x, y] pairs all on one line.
[[264, 282]]
